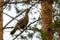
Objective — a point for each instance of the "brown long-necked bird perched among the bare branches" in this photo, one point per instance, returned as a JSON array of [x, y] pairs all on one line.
[[22, 23]]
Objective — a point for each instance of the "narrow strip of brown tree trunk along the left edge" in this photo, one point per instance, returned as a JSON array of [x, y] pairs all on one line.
[[1, 20]]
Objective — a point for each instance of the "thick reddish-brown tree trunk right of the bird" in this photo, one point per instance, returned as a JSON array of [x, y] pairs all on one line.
[[46, 15]]
